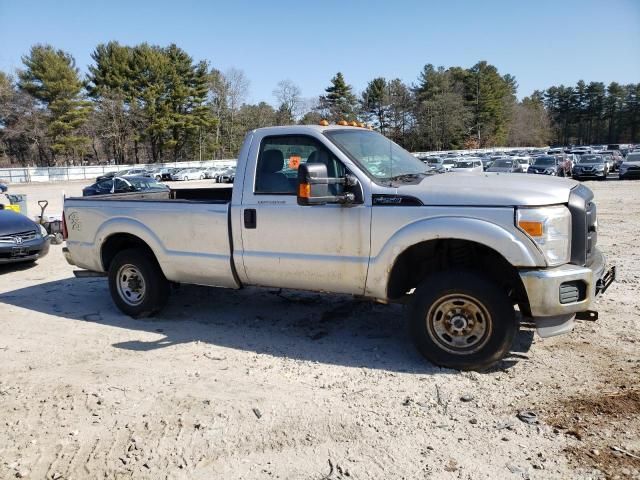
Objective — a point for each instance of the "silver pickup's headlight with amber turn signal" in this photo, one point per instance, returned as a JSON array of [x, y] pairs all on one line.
[[550, 228]]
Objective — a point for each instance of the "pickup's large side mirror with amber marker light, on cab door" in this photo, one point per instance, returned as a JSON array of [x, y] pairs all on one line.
[[313, 186]]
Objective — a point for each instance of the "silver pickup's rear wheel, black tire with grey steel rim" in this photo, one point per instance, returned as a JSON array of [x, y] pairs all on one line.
[[145, 298]]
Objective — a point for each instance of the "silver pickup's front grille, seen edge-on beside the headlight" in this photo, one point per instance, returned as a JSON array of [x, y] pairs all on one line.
[[584, 235]]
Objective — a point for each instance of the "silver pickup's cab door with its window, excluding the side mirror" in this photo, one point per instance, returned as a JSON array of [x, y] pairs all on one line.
[[322, 247]]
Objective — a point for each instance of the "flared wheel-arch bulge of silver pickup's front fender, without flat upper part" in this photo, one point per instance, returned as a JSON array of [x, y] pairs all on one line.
[[513, 245]]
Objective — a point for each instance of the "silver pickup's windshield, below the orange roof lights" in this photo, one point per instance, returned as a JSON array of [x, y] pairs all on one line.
[[378, 155]]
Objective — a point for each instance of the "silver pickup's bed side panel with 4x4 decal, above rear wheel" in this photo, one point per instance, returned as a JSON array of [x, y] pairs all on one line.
[[189, 239]]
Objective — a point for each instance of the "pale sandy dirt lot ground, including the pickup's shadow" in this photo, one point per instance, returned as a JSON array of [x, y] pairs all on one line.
[[257, 384]]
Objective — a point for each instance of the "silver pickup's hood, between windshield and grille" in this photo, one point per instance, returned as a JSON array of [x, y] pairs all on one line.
[[492, 189]]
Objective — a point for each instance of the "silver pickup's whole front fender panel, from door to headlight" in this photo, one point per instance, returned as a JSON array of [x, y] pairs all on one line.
[[394, 229]]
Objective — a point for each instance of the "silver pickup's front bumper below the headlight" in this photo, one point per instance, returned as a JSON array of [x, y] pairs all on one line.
[[544, 288]]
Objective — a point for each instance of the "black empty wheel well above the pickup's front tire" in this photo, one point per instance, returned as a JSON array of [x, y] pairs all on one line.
[[426, 258]]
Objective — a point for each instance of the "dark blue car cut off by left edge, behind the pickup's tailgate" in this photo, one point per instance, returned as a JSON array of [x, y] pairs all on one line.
[[21, 239]]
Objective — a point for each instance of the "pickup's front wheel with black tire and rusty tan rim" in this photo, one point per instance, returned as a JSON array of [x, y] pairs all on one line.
[[493, 309]]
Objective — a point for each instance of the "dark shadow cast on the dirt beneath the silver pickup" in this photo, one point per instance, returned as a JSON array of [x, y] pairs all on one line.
[[329, 329]]
